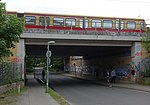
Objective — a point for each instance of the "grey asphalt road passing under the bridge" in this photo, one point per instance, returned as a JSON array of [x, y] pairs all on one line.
[[81, 92]]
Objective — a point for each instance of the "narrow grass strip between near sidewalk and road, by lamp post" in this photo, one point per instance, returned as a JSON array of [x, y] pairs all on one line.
[[58, 97]]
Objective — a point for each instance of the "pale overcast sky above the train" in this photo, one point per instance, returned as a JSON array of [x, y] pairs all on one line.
[[109, 8]]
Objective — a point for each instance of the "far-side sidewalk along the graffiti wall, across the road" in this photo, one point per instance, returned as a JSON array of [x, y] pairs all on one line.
[[119, 85]]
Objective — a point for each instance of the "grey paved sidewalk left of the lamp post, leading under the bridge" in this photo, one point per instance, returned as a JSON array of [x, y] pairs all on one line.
[[35, 95]]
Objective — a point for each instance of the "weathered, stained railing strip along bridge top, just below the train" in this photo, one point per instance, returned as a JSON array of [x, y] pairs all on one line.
[[83, 32]]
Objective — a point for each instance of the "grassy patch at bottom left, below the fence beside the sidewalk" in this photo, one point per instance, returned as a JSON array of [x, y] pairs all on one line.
[[7, 97]]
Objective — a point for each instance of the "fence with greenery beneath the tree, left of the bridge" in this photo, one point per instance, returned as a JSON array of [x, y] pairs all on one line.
[[10, 72]]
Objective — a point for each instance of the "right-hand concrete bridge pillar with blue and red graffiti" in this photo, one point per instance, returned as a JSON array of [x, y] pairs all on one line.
[[136, 58]]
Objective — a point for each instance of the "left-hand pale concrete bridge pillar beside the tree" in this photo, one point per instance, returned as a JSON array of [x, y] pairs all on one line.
[[21, 55]]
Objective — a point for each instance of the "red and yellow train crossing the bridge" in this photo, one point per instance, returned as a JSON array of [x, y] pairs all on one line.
[[75, 22]]
